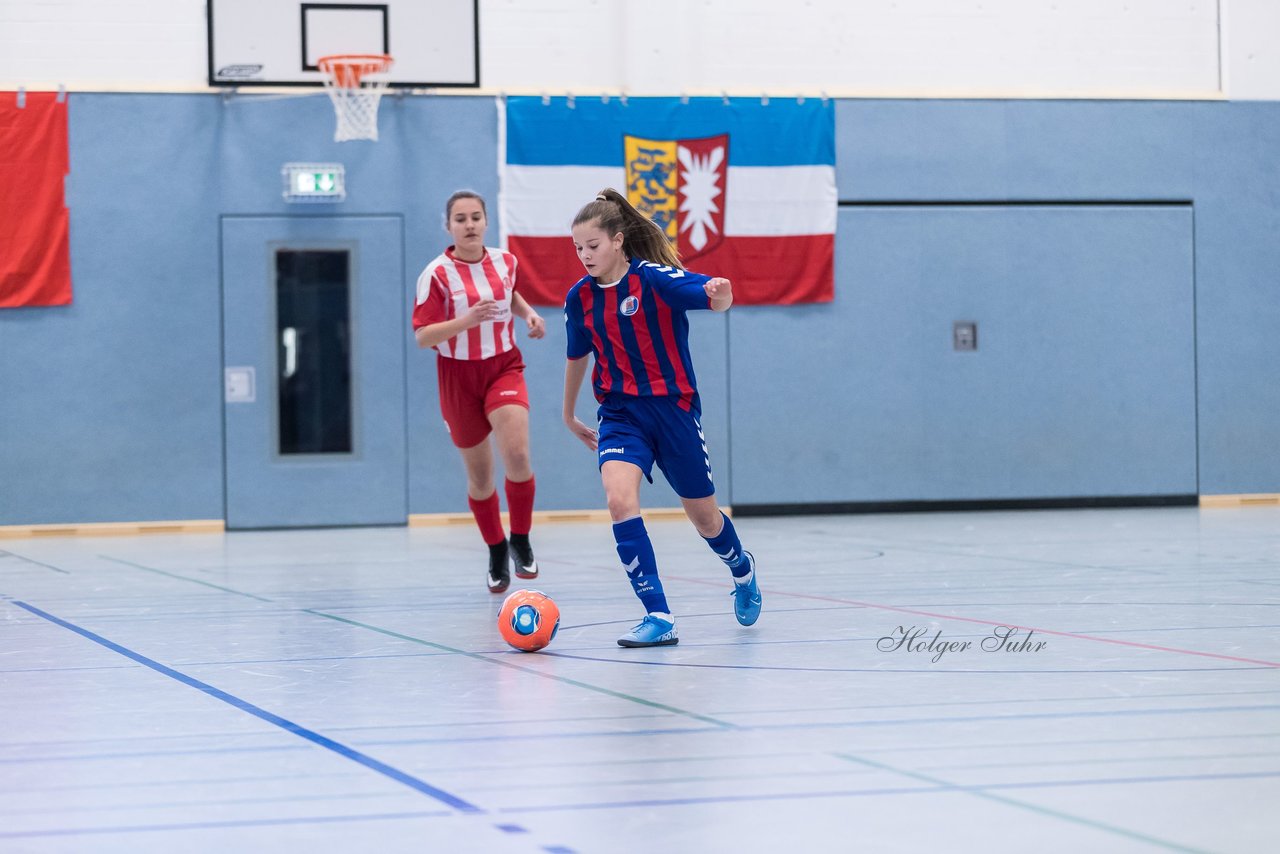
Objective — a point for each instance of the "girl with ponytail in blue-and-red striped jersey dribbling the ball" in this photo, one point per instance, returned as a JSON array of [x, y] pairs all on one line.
[[629, 310]]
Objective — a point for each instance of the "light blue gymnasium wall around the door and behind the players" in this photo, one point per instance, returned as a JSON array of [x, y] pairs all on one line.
[[1119, 258]]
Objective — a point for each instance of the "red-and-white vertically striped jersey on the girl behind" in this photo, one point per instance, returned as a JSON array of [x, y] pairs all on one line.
[[450, 287]]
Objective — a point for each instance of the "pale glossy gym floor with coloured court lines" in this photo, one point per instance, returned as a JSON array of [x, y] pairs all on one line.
[[346, 689]]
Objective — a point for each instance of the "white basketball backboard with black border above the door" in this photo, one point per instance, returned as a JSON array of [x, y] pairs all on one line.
[[277, 43]]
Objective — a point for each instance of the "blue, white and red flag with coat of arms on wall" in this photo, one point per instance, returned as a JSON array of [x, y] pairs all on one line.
[[746, 189]]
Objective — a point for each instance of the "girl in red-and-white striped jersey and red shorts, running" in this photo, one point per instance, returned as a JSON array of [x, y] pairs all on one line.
[[467, 299]]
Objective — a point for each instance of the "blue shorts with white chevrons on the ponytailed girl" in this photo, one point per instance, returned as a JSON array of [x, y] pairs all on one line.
[[644, 431]]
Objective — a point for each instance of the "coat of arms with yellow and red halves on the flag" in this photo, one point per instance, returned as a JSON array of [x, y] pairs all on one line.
[[682, 186]]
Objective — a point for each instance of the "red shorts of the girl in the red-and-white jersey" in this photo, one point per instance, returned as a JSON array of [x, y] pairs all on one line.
[[470, 390]]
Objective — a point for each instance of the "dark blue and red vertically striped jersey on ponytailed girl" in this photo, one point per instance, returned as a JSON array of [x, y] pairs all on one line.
[[638, 331]]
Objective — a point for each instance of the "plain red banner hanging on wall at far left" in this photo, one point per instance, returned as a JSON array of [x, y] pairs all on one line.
[[35, 249]]
